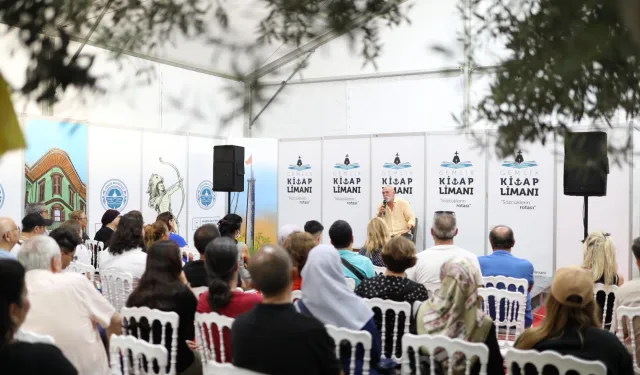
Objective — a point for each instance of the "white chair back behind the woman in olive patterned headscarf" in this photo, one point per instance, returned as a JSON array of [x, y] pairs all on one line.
[[451, 346]]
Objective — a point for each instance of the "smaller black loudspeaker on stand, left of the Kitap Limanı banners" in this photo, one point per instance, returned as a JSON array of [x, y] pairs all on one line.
[[228, 168]]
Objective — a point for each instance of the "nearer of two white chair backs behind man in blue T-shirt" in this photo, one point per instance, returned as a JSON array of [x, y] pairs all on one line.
[[512, 319]]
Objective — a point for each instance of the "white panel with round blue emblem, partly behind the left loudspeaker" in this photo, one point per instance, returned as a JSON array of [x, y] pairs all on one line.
[[205, 205]]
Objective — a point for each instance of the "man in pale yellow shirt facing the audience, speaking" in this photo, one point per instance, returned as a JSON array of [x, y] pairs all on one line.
[[396, 213]]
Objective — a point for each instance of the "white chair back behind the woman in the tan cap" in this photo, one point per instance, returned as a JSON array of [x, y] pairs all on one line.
[[562, 363]]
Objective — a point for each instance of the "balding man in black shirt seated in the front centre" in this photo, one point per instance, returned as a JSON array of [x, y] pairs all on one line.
[[273, 338]]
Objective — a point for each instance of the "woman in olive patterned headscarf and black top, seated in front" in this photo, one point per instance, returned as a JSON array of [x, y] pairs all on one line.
[[454, 313]]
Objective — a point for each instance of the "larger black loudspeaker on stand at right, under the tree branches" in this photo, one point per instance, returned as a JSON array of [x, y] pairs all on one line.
[[586, 164]]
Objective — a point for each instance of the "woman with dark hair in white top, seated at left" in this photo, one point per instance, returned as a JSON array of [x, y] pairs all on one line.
[[126, 251]]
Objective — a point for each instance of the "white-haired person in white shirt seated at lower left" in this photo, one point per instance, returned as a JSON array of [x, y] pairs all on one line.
[[66, 306]]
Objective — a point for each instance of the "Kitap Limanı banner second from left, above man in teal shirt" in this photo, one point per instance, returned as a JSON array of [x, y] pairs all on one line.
[[346, 185]]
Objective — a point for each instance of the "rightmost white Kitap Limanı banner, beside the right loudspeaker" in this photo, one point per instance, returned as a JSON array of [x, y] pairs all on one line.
[[521, 197]]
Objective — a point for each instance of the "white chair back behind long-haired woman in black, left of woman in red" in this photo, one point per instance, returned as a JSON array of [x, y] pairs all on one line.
[[164, 318]]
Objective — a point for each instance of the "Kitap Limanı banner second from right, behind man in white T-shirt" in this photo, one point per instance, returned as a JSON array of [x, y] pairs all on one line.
[[456, 174]]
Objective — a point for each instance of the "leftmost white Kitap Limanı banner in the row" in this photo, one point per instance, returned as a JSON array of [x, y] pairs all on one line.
[[299, 182]]
